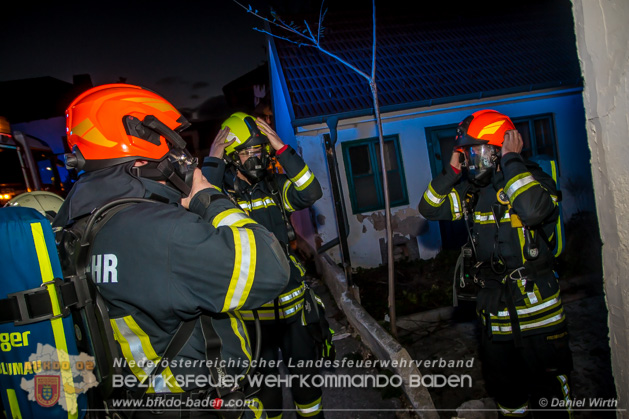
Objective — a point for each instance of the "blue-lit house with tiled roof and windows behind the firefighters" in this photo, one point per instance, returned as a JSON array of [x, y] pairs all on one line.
[[525, 68]]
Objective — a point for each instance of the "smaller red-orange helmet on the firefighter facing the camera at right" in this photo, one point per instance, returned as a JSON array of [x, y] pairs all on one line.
[[483, 127]]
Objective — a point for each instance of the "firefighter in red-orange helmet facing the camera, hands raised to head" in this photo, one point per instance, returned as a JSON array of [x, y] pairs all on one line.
[[510, 207]]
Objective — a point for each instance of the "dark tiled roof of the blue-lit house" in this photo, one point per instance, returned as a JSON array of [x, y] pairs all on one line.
[[430, 58]]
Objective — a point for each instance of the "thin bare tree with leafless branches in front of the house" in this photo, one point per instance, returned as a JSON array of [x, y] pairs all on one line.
[[311, 37]]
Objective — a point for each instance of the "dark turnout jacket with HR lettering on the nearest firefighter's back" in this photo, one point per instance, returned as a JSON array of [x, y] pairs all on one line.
[[158, 264]]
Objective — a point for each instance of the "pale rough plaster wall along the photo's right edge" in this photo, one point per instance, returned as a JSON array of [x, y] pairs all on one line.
[[603, 46]]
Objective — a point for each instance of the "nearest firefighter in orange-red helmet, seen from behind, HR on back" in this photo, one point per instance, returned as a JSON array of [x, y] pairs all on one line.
[[183, 255]]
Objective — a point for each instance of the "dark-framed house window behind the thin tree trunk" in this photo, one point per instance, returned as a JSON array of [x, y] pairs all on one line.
[[364, 174]]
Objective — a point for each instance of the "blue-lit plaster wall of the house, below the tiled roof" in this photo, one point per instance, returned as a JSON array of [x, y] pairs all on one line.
[[367, 229]]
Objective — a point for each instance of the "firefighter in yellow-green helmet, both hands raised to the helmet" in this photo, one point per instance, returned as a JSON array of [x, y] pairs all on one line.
[[294, 323]]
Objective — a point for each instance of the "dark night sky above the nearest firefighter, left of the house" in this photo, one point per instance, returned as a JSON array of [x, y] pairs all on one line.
[[186, 50]]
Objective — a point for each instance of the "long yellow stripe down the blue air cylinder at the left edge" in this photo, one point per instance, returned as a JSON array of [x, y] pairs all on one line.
[[61, 345]]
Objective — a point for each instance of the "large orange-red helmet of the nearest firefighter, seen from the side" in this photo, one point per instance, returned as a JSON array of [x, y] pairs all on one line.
[[115, 123]]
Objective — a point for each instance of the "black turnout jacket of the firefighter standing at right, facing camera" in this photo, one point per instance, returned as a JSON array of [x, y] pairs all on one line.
[[498, 231]]
